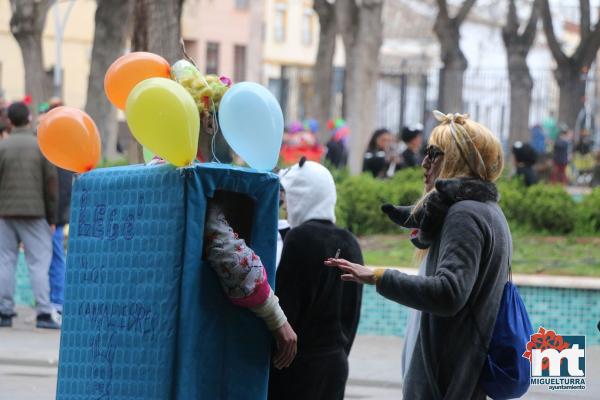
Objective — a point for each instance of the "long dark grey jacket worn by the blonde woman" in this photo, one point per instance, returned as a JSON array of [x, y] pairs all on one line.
[[467, 267]]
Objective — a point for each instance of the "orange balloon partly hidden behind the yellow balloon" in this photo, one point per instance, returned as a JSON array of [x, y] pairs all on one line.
[[129, 70]]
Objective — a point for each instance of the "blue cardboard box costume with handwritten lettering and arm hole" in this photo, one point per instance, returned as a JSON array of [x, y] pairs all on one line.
[[144, 316]]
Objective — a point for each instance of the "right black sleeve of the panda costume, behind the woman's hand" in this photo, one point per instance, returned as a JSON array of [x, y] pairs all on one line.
[[351, 301]]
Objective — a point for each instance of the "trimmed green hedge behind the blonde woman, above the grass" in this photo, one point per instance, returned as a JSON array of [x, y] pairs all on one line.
[[542, 208]]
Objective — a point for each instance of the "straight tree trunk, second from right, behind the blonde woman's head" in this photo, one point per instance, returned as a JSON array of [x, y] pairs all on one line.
[[521, 85]]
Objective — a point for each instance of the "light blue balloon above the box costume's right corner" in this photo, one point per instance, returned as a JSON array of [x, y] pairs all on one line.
[[252, 123]]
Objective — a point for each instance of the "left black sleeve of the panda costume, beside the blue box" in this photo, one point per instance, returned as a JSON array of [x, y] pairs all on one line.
[[289, 283]]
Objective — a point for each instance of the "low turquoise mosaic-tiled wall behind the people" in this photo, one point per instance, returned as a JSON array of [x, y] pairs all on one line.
[[567, 311]]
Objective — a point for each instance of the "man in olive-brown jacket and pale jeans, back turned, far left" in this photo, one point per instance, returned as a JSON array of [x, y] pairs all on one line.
[[28, 200]]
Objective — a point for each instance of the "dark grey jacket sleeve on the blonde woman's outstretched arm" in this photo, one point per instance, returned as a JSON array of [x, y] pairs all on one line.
[[446, 292]]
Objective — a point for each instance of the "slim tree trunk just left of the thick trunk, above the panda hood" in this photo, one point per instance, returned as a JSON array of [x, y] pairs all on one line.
[[323, 69]]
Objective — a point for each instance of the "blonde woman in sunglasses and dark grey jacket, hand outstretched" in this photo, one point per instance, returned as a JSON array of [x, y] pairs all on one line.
[[467, 246]]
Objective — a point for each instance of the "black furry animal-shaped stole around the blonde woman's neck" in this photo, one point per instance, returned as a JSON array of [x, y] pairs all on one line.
[[428, 220]]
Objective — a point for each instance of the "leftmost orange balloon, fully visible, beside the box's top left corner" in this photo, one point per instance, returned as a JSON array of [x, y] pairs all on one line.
[[69, 139]]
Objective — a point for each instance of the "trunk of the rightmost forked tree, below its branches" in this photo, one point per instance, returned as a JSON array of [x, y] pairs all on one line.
[[571, 83]]
